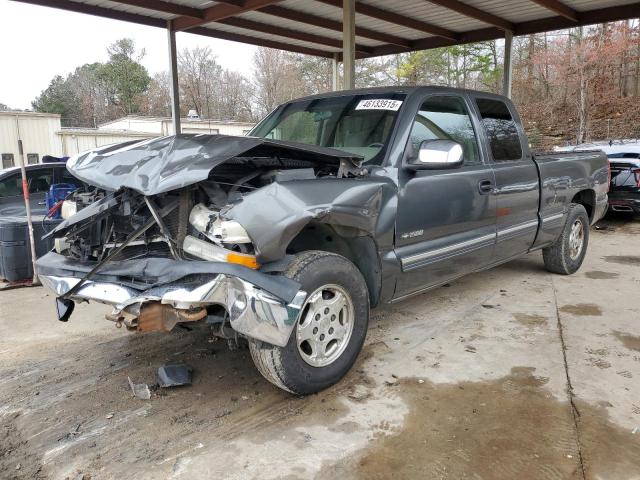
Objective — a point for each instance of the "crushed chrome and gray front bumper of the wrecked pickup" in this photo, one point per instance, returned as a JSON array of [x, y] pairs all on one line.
[[261, 306]]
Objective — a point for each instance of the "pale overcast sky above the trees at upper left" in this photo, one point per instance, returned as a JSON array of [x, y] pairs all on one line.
[[37, 43]]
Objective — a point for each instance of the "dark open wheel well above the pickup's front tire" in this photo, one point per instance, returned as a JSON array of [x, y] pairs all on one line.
[[356, 245]]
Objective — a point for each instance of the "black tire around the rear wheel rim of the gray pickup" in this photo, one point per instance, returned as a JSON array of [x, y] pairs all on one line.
[[557, 258]]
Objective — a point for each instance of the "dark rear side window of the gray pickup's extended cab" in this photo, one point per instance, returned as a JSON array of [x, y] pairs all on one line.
[[501, 130]]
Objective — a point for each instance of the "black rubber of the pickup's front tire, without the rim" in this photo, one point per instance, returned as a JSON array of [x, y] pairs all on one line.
[[285, 366]]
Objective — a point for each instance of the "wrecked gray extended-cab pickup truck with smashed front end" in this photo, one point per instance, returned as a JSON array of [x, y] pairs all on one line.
[[332, 205]]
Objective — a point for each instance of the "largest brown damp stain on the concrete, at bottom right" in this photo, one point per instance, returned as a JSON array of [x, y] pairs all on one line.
[[503, 429]]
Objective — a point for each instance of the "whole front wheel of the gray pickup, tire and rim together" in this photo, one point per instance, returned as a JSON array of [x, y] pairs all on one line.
[[330, 329]]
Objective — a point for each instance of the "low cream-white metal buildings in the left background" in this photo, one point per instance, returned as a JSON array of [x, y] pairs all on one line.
[[42, 134]]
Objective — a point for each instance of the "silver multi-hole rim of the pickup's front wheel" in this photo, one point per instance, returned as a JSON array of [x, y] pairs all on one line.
[[325, 325]]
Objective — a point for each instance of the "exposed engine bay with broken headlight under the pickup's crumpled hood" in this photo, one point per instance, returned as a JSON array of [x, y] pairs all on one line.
[[194, 228]]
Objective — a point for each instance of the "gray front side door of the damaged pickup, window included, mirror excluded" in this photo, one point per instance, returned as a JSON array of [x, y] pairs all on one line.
[[446, 221]]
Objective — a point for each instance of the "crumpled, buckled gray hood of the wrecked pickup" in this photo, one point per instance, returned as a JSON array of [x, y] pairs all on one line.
[[167, 163]]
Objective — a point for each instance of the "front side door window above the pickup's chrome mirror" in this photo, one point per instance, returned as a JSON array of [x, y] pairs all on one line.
[[446, 118]]
